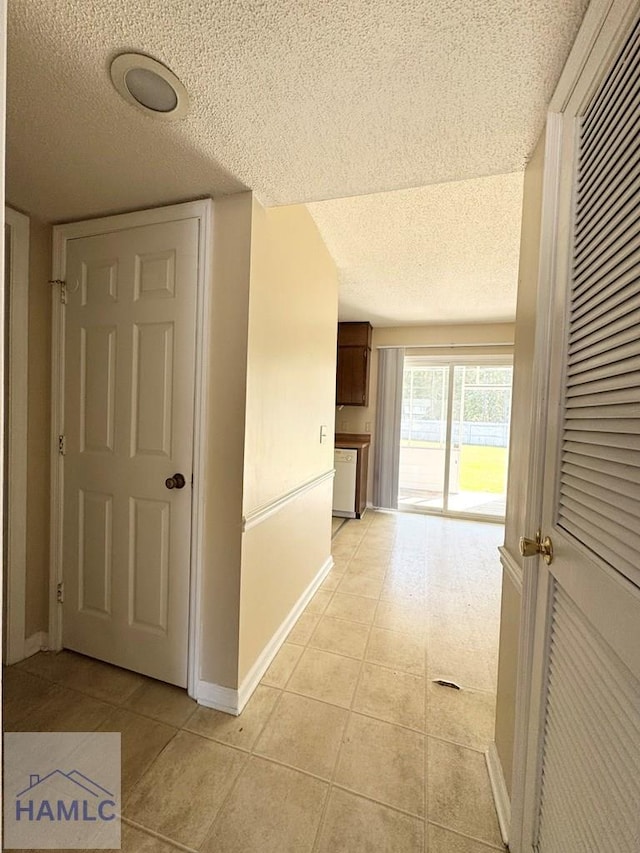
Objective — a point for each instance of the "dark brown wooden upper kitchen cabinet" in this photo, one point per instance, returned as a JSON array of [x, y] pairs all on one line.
[[354, 358]]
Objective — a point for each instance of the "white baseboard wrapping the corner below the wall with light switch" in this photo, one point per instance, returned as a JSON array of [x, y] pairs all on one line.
[[233, 701]]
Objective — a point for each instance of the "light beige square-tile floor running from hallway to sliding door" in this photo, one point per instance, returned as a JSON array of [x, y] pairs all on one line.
[[347, 746]]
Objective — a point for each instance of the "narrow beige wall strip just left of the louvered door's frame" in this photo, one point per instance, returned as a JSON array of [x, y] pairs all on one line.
[[519, 454]]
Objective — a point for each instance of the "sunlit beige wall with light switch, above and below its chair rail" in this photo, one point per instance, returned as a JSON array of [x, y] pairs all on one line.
[[291, 365]]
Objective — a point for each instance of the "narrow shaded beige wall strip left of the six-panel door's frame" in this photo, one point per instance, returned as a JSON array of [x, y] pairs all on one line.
[[38, 429]]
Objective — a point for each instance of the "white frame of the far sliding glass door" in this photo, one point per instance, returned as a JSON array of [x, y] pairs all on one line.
[[453, 361]]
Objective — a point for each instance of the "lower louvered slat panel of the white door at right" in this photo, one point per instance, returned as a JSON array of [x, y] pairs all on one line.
[[590, 787]]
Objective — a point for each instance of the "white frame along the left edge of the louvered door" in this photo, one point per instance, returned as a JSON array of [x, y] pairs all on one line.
[[603, 28]]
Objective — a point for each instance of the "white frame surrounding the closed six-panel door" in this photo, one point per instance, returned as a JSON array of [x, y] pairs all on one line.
[[203, 211]]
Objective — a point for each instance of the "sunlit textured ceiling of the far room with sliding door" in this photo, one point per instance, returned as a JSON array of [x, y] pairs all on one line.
[[445, 253]]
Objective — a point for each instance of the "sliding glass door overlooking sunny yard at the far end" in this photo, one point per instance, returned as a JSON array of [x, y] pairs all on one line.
[[455, 437]]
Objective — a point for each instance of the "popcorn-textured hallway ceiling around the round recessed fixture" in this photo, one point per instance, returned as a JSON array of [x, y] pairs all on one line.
[[298, 100]]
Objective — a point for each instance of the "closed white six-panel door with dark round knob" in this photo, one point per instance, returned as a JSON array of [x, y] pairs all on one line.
[[128, 426]]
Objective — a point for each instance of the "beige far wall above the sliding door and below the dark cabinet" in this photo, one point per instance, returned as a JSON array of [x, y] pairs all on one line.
[[440, 340]]
